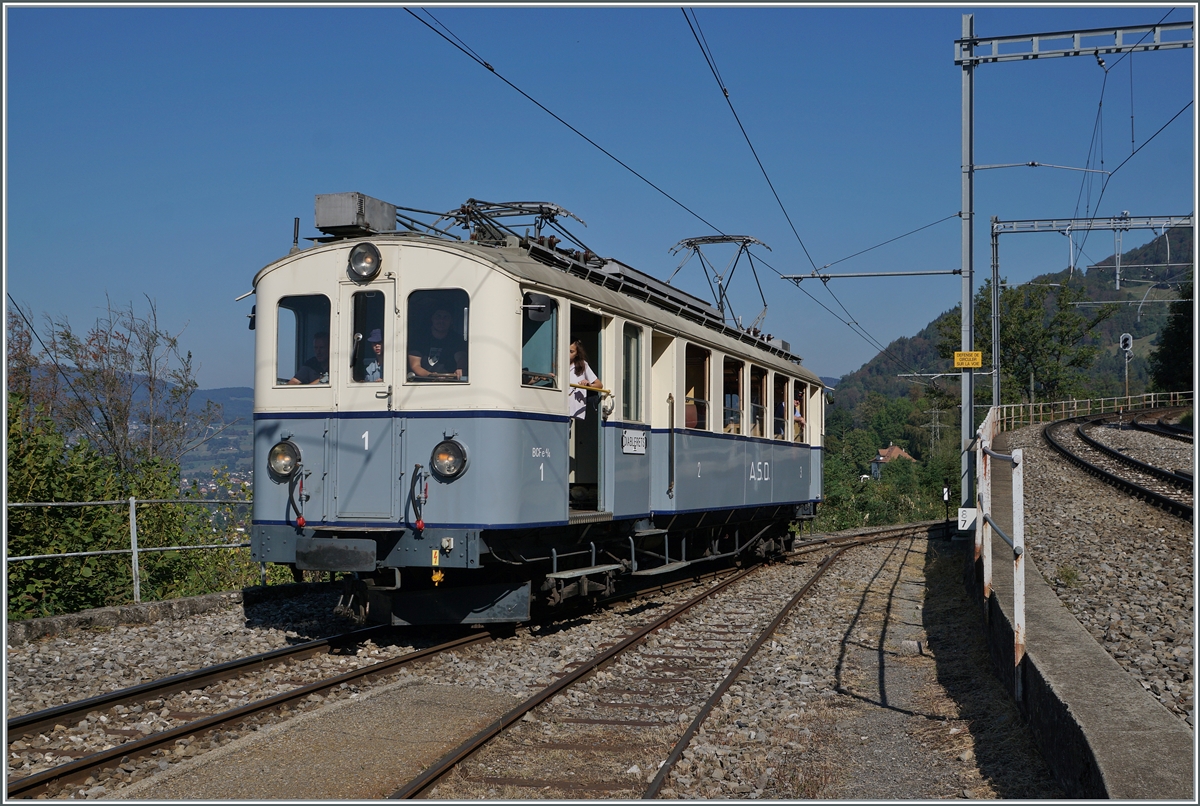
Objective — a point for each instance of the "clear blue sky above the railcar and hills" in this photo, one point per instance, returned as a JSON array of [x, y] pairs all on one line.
[[165, 152]]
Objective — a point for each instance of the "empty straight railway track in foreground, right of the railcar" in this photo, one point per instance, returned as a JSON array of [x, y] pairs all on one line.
[[637, 706]]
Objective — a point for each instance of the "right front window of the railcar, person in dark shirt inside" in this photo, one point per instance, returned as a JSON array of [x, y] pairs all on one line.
[[439, 336]]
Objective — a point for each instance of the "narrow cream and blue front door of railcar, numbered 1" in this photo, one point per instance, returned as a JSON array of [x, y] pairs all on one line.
[[364, 443]]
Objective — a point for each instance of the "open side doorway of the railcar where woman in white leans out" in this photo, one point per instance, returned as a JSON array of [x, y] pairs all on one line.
[[586, 471]]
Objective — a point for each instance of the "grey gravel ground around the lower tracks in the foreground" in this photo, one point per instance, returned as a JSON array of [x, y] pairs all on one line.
[[874, 655]]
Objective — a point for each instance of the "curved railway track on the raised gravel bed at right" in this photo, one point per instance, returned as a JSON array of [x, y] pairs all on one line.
[[1171, 491]]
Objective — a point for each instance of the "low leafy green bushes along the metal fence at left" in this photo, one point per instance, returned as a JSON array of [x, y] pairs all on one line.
[[45, 466]]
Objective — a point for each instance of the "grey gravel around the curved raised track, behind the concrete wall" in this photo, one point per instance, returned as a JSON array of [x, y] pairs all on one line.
[[1121, 567]]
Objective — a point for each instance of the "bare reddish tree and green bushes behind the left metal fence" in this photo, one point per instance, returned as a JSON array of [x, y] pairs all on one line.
[[109, 422]]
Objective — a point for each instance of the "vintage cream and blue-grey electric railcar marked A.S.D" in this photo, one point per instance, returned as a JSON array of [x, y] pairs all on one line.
[[413, 419]]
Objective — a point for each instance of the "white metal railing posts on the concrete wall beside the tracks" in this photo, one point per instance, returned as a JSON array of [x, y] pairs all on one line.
[[986, 525]]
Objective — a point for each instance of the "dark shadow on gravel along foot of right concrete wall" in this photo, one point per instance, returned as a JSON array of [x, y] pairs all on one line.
[[1004, 748]]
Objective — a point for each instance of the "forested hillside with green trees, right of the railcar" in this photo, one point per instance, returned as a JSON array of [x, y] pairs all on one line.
[[1059, 334]]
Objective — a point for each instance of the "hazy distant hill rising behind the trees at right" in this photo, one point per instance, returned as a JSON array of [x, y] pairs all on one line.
[[1143, 274]]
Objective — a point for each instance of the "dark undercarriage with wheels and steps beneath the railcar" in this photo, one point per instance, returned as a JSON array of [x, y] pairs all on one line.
[[508, 575]]
